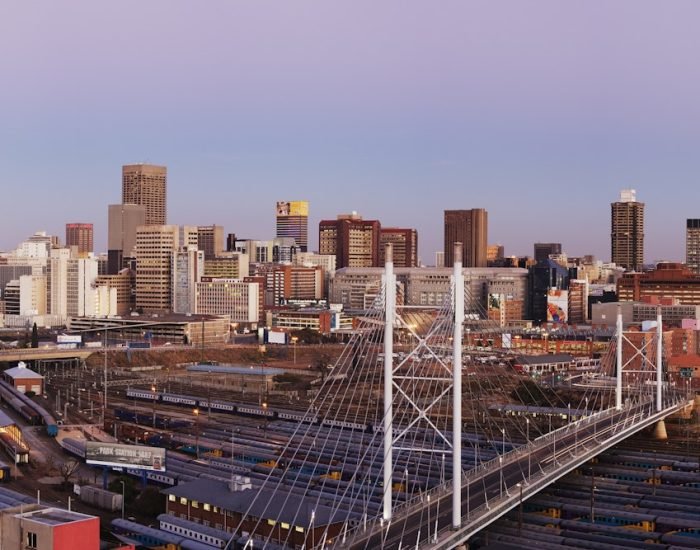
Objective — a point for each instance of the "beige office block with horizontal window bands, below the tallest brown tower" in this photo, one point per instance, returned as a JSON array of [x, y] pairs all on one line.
[[155, 246]]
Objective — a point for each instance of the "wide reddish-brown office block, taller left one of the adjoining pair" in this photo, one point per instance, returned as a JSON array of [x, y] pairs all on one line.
[[354, 241]]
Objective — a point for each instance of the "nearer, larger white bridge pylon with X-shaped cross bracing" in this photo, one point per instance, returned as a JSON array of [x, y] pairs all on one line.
[[395, 379]]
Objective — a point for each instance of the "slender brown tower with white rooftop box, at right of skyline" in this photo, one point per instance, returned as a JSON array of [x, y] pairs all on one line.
[[627, 231]]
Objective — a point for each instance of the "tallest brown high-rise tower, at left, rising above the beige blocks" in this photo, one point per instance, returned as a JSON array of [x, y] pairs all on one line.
[[146, 184]]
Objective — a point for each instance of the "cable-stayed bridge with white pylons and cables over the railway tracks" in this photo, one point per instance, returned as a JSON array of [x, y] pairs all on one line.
[[416, 440]]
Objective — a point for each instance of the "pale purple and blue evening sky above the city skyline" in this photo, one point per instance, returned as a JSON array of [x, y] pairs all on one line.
[[538, 111]]
